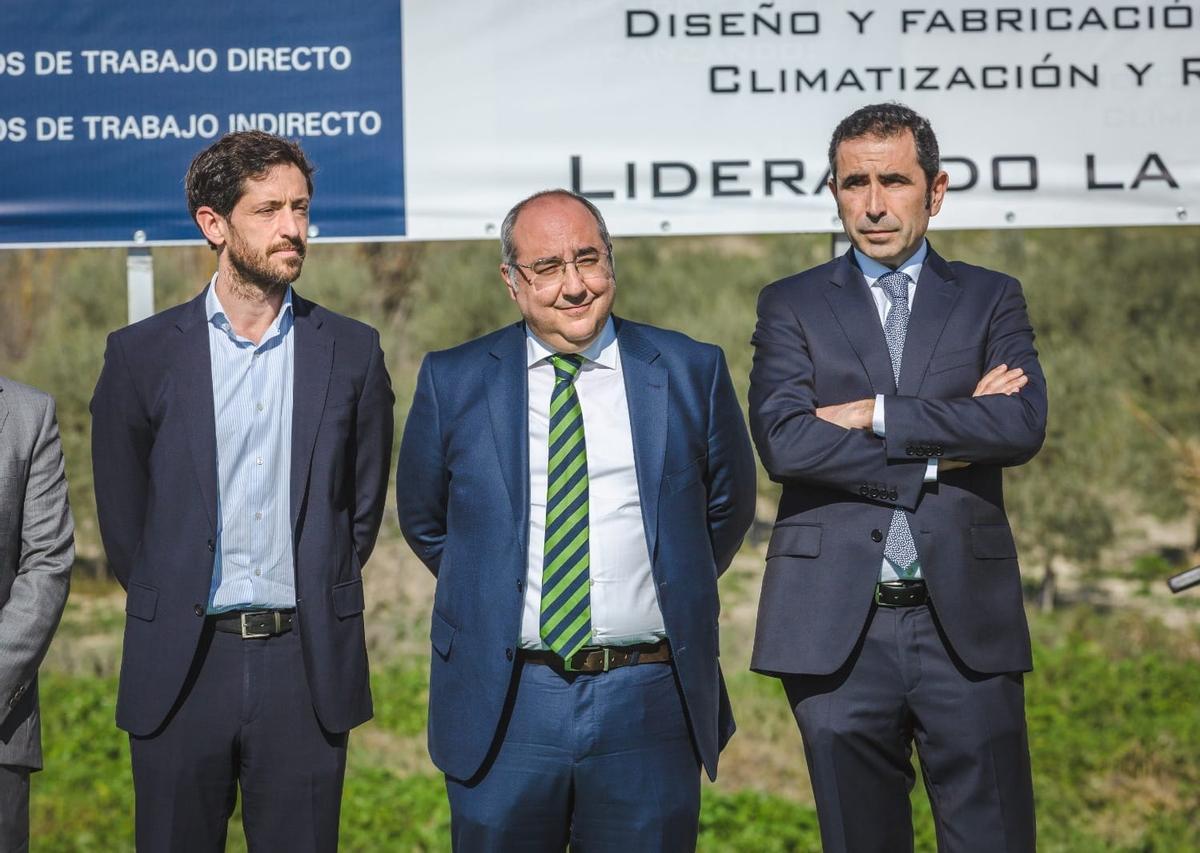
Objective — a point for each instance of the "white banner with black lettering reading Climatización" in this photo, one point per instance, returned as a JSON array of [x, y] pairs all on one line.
[[699, 118]]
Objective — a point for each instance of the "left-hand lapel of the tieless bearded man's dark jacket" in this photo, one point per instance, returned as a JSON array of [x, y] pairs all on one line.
[[194, 387]]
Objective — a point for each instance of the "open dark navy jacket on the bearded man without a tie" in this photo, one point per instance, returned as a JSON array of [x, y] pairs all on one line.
[[154, 454]]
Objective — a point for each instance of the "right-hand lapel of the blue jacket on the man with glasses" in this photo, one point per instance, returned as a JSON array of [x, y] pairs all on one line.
[[646, 393]]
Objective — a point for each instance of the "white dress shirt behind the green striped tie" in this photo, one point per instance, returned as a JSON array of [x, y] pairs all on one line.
[[625, 602]]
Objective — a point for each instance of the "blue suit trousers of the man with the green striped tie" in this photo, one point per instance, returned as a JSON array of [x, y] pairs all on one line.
[[601, 761]]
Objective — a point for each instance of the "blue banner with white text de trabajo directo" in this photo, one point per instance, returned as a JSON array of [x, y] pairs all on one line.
[[104, 105]]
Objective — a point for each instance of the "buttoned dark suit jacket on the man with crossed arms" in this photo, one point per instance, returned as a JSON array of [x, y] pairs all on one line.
[[819, 341]]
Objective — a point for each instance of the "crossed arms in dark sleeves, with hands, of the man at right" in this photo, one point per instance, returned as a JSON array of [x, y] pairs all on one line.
[[833, 447]]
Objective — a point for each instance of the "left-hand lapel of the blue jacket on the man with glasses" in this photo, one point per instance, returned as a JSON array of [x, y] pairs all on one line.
[[508, 395]]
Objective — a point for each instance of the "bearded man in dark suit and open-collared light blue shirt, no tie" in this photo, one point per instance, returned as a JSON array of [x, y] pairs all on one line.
[[242, 446]]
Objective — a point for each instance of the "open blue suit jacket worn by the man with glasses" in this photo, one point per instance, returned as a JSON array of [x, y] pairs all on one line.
[[463, 492]]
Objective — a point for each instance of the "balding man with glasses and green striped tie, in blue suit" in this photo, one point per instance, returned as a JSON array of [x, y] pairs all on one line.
[[577, 483]]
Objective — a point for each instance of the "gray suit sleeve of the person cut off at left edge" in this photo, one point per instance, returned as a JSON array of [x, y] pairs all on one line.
[[32, 614]]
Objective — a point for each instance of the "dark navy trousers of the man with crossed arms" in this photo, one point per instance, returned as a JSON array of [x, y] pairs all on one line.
[[905, 684]]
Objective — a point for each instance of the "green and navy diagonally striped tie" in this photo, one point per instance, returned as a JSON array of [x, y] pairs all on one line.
[[566, 584]]
